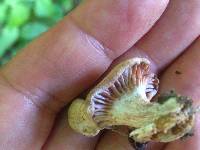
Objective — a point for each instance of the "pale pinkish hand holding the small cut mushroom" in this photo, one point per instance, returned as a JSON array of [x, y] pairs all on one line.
[[64, 62]]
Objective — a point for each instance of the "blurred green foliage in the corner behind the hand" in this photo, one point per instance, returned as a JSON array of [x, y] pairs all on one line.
[[23, 20]]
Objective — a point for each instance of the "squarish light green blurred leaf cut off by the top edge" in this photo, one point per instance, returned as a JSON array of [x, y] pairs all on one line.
[[44, 8]]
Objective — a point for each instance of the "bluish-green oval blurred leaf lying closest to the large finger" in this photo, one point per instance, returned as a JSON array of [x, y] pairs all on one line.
[[32, 30]]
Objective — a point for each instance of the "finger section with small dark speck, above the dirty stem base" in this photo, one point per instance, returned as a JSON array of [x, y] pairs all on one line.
[[188, 68]]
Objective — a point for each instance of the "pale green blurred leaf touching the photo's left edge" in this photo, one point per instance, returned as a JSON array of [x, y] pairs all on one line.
[[8, 37]]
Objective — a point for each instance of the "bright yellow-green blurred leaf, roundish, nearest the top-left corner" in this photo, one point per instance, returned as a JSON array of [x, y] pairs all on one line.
[[19, 14]]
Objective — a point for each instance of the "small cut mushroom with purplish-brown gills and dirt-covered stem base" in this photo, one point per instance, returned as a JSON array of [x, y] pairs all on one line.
[[123, 98]]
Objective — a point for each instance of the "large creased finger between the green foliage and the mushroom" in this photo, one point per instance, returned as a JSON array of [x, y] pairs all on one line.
[[65, 61]]
